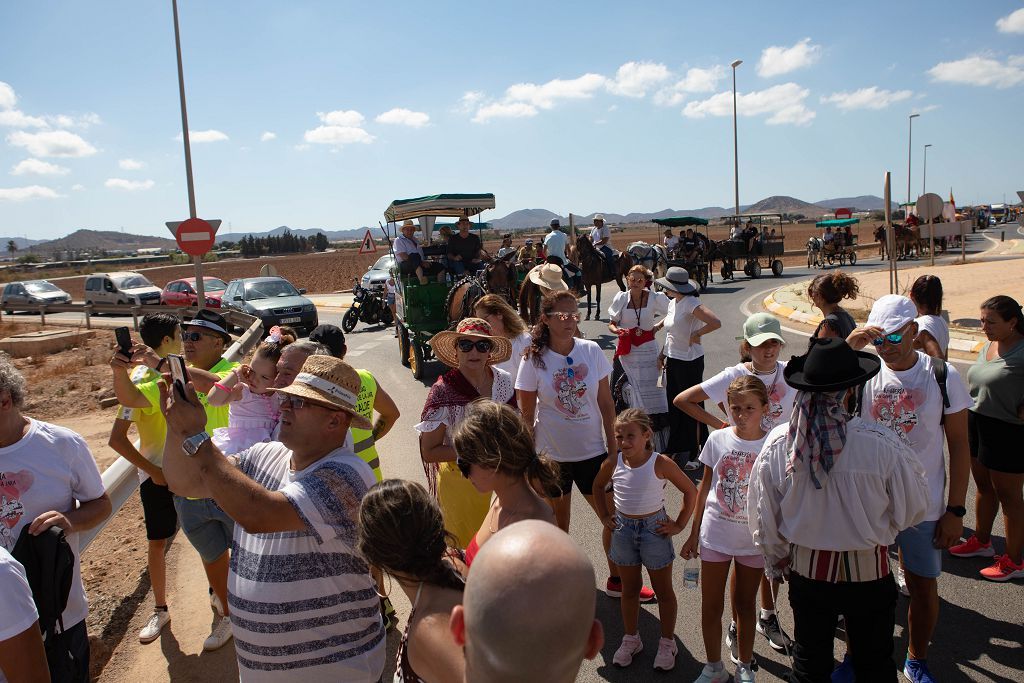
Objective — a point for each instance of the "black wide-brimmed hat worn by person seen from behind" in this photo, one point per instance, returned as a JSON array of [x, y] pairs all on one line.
[[831, 366]]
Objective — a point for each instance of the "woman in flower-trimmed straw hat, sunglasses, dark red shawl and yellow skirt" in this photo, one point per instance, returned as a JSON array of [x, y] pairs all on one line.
[[471, 351]]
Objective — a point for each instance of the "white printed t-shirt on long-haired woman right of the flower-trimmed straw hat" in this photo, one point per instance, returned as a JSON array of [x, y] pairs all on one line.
[[569, 425]]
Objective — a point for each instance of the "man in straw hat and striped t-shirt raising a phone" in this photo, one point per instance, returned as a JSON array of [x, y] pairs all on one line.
[[295, 504]]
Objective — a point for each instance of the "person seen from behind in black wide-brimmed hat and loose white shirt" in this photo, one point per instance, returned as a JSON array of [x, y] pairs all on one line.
[[828, 496]]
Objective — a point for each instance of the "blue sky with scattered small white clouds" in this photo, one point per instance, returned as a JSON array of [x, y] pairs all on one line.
[[319, 114]]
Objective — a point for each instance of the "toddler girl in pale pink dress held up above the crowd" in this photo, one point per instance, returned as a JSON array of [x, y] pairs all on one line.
[[254, 411]]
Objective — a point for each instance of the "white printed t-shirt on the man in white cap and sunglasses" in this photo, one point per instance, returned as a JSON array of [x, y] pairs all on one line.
[[910, 403]]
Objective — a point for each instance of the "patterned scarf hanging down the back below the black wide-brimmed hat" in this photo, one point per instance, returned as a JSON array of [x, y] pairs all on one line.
[[818, 432]]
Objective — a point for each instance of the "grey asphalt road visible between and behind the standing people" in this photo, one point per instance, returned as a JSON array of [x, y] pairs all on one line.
[[979, 634]]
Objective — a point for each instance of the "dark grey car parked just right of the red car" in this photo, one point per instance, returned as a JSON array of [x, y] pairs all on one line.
[[275, 301]]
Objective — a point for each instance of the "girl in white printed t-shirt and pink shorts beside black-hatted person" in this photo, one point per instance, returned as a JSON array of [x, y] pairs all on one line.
[[721, 533]]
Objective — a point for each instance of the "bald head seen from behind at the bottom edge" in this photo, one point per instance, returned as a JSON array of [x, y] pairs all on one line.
[[528, 614]]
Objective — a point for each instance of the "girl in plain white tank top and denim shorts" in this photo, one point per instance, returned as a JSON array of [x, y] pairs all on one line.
[[643, 531]]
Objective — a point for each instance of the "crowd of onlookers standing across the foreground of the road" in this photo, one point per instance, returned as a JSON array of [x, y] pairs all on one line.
[[273, 471]]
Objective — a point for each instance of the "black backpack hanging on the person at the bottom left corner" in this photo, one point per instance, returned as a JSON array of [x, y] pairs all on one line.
[[50, 567]]
